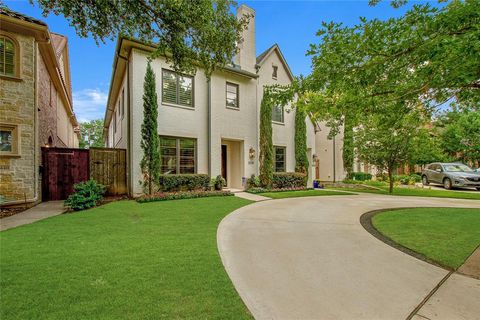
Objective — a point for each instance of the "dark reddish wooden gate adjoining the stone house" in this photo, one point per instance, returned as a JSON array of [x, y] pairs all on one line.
[[62, 168]]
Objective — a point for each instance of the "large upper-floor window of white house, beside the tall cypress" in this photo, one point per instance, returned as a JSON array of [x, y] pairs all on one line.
[[177, 88]]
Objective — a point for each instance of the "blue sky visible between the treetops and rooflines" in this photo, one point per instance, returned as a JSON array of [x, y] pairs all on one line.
[[290, 24]]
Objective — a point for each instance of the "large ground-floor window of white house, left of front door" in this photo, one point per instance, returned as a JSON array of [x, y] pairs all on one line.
[[177, 155]]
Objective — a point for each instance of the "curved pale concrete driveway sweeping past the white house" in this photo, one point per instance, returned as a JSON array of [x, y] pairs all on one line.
[[309, 258]]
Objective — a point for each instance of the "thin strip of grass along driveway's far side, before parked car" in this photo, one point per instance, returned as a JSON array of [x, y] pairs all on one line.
[[418, 192]]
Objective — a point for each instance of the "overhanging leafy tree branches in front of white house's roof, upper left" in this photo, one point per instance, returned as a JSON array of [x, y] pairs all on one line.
[[203, 32]]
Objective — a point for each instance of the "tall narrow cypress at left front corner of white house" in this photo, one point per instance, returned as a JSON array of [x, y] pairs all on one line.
[[150, 163]]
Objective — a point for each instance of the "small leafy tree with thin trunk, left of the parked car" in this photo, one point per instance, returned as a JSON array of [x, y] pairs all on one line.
[[384, 139]]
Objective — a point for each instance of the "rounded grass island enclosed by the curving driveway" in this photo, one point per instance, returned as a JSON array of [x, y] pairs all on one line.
[[445, 235]]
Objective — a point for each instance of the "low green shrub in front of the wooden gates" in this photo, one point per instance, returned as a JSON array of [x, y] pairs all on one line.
[[87, 195]]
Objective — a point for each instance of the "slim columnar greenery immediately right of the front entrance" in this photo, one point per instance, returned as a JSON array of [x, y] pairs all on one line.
[[266, 143]]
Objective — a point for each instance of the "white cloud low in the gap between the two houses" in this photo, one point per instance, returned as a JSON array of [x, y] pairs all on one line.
[[89, 104]]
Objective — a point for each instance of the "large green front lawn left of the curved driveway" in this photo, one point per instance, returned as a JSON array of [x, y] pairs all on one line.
[[124, 260]]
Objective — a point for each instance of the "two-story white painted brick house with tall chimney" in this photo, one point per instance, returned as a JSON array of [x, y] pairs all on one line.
[[205, 127]]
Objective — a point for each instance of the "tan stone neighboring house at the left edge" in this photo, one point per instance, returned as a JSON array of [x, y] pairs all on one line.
[[35, 103]]
